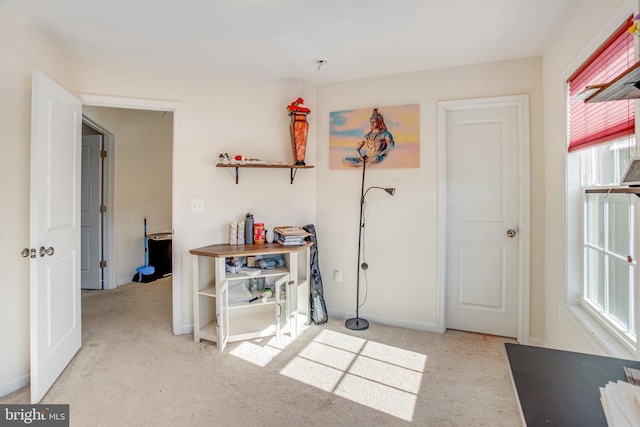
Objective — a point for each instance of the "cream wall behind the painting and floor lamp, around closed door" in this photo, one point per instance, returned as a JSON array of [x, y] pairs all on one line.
[[402, 230]]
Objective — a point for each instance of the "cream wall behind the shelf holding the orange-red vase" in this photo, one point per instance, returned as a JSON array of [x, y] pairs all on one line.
[[217, 114]]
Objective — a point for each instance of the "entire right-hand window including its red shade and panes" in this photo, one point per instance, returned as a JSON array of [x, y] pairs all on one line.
[[602, 222]]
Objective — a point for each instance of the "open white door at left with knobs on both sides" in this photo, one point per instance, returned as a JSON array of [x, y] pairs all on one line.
[[56, 121]]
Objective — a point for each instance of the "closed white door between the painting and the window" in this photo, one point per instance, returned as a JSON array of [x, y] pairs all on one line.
[[482, 276]]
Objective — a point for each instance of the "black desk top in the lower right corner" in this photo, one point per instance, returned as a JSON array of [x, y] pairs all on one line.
[[561, 388]]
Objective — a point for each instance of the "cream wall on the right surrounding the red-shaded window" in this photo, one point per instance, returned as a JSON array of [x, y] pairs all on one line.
[[590, 25]]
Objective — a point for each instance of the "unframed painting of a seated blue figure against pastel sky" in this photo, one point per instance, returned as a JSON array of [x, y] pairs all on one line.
[[392, 143]]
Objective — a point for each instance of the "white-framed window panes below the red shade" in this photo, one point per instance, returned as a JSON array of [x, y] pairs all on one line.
[[609, 258]]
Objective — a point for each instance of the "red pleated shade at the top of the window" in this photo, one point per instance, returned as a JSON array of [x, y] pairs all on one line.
[[600, 122]]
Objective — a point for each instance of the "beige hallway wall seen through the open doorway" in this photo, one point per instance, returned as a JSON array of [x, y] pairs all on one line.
[[143, 158]]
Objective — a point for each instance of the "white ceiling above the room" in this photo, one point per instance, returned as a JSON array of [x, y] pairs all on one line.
[[281, 39]]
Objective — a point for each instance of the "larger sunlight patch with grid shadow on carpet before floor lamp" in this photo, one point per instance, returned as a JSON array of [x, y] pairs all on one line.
[[376, 375]]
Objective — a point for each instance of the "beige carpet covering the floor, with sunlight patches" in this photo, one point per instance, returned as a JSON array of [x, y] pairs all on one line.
[[131, 370]]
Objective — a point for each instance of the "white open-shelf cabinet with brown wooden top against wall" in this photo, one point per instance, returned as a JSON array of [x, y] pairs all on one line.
[[216, 319]]
